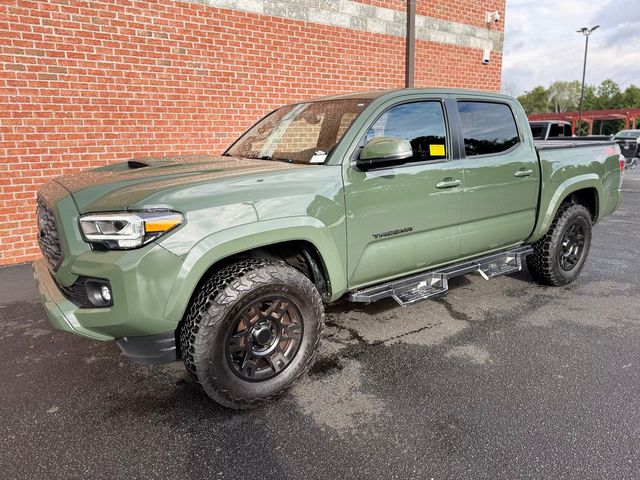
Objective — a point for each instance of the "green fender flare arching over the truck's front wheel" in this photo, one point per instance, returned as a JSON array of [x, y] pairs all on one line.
[[242, 238]]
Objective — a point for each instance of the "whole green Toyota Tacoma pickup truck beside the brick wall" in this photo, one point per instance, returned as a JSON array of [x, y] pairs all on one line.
[[226, 261]]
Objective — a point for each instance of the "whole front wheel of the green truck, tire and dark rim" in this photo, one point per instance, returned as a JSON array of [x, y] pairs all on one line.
[[253, 329]]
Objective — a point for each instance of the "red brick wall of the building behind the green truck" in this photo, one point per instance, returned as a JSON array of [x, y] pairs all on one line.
[[87, 83]]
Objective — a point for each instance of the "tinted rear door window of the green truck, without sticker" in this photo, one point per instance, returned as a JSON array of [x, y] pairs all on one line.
[[487, 127]]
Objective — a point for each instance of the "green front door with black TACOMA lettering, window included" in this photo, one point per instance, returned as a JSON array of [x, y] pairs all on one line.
[[405, 218]]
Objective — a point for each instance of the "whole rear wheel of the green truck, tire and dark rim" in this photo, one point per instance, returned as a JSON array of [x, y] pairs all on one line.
[[559, 256]]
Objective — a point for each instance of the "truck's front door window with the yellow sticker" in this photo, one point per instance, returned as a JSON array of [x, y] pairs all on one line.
[[422, 123]]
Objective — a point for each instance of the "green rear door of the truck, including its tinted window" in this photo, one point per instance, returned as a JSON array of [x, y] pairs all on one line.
[[501, 177]]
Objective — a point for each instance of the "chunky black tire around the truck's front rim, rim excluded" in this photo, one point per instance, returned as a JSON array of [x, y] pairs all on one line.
[[204, 331]]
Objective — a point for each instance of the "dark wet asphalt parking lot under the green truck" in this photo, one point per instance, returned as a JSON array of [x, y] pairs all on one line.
[[500, 379]]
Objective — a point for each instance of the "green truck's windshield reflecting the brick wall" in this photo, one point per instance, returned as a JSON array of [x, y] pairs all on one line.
[[302, 133]]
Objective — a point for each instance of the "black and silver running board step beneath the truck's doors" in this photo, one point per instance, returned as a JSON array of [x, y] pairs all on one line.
[[422, 286]]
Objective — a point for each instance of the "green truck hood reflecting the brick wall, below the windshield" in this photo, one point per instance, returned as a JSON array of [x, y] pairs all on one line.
[[127, 184]]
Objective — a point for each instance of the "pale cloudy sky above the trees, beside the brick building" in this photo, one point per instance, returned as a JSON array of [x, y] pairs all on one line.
[[541, 43]]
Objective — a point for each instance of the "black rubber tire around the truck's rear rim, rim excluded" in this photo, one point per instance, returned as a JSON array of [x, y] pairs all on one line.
[[544, 263]]
